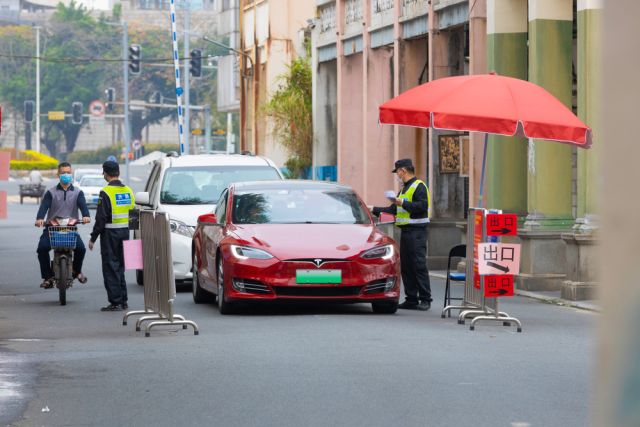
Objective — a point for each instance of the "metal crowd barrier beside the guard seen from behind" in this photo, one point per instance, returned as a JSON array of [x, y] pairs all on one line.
[[159, 281]]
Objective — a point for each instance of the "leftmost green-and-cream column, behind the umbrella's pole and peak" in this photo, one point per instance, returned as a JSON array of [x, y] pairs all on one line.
[[506, 174]]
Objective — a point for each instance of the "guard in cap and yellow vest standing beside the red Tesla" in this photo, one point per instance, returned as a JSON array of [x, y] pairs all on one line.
[[411, 208]]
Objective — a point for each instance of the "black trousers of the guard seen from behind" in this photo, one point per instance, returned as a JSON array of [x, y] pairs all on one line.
[[111, 249]]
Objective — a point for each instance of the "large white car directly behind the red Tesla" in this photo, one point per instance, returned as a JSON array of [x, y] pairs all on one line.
[[188, 186]]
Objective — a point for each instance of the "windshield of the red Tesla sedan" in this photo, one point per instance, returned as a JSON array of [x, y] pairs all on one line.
[[298, 206]]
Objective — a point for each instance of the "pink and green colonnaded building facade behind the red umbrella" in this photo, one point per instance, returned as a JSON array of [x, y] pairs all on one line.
[[368, 51]]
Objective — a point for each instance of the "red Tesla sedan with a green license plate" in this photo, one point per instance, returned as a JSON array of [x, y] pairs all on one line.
[[293, 240]]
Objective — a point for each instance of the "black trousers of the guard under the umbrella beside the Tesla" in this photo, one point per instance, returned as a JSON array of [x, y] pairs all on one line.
[[413, 263]]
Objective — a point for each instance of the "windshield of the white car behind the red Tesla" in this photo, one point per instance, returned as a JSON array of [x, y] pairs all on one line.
[[202, 185]]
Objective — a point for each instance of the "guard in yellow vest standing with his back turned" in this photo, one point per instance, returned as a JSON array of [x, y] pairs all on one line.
[[112, 226]]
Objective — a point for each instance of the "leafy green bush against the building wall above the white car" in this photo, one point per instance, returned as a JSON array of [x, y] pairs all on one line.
[[291, 112]]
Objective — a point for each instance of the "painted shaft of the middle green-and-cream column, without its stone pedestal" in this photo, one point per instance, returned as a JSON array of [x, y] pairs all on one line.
[[549, 163]]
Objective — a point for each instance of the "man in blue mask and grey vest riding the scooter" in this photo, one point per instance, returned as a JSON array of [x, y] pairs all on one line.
[[62, 201]]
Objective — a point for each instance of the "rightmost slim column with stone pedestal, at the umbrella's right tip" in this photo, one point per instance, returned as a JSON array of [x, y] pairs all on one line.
[[581, 242]]
